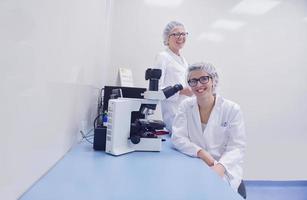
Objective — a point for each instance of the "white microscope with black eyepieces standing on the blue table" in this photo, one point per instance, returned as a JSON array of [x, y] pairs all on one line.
[[129, 128]]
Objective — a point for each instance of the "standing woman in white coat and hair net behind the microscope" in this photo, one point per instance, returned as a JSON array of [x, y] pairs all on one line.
[[174, 68]]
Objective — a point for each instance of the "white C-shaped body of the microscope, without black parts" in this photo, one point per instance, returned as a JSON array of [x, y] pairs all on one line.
[[118, 138]]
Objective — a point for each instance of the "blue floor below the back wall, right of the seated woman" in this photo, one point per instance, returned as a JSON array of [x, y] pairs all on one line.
[[276, 190]]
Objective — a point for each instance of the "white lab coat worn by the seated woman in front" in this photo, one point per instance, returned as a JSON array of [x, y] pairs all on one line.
[[223, 138]]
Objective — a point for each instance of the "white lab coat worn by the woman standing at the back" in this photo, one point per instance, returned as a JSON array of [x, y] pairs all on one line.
[[174, 69]]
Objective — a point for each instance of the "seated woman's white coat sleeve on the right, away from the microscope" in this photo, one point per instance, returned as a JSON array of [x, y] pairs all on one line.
[[235, 147]]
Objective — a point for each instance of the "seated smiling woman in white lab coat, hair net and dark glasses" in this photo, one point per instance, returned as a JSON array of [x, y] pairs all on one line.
[[211, 127]]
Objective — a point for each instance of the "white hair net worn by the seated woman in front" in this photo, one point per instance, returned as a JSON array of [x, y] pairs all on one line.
[[206, 67]]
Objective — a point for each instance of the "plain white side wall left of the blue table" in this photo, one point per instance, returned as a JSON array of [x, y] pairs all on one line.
[[52, 62]]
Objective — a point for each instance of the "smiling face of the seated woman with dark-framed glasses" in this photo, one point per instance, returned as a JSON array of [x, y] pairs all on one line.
[[200, 89]]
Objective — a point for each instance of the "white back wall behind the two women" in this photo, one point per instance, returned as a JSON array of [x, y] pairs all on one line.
[[262, 66]]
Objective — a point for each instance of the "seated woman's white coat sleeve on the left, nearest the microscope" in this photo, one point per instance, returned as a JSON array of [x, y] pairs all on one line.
[[180, 137]]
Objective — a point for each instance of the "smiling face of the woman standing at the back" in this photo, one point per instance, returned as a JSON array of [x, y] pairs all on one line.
[[176, 43]]
